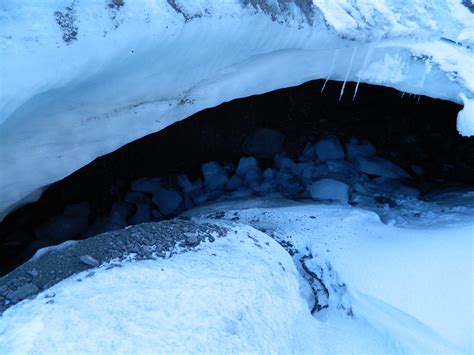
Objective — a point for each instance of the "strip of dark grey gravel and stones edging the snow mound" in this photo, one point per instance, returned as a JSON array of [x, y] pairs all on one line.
[[144, 241]]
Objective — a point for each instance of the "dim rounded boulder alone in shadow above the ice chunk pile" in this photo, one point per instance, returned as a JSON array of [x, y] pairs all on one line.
[[264, 143]]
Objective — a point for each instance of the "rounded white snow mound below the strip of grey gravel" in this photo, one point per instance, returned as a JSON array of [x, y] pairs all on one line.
[[238, 294]]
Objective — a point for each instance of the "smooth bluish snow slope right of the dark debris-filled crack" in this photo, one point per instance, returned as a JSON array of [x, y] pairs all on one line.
[[413, 285]]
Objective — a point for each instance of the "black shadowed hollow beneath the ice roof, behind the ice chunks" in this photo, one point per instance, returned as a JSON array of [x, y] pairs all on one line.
[[415, 132]]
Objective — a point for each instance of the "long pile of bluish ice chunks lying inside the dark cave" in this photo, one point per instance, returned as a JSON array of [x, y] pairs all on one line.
[[326, 171]]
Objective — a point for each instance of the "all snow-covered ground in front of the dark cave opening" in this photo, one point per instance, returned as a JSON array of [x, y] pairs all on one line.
[[389, 289]]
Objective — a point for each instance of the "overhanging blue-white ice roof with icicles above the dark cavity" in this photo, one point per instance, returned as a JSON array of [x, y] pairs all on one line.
[[81, 78]]
